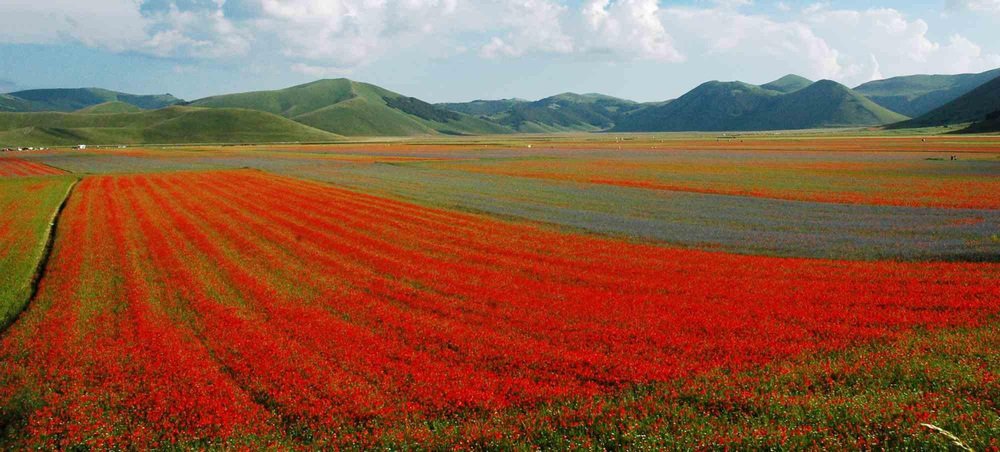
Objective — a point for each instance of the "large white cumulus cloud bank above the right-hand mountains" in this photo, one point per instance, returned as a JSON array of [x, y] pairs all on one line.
[[851, 46]]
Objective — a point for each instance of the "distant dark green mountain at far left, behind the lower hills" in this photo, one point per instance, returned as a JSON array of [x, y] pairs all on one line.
[[73, 99]]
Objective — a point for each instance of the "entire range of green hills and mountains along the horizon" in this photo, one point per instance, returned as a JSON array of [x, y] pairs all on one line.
[[328, 110]]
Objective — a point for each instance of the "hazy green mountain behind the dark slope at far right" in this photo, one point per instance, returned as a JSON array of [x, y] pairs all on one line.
[[915, 95]]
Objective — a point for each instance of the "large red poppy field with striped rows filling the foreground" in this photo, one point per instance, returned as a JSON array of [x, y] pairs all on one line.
[[212, 306]]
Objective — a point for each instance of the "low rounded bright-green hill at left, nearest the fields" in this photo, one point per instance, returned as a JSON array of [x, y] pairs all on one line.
[[167, 125]]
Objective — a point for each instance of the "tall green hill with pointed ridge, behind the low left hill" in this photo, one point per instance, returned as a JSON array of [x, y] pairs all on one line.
[[352, 108]]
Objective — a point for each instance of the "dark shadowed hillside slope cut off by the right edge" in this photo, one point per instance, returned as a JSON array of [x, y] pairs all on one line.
[[978, 105]]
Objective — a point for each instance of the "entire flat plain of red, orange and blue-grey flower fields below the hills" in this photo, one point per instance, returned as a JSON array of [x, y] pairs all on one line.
[[657, 292]]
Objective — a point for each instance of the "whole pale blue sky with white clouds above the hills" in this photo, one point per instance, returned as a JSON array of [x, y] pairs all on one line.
[[460, 50]]
